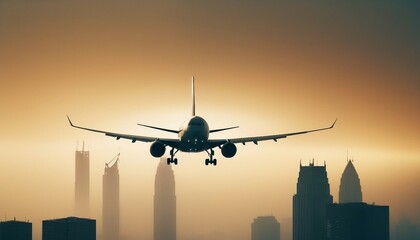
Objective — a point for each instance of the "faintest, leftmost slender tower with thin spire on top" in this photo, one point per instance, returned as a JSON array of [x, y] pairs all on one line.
[[82, 183]]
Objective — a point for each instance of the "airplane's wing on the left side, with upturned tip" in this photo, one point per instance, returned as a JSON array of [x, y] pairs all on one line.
[[170, 142]]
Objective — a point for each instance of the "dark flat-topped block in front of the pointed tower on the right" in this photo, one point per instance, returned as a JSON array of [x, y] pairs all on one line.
[[357, 221]]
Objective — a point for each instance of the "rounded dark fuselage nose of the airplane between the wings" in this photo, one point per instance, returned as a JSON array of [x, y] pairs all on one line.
[[194, 134]]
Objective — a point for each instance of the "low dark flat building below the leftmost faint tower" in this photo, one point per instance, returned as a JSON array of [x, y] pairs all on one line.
[[71, 228]]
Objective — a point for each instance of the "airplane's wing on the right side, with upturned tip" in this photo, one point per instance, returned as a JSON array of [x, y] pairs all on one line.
[[257, 139]]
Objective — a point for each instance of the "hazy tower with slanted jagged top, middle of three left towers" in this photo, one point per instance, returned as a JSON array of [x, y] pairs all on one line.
[[111, 201]]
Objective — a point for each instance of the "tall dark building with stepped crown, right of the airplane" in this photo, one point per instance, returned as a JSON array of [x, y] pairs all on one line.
[[310, 202]]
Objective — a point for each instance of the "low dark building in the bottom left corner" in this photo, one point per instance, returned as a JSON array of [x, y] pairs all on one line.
[[15, 230]]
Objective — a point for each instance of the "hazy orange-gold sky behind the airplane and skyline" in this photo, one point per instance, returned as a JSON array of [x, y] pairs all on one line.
[[267, 66]]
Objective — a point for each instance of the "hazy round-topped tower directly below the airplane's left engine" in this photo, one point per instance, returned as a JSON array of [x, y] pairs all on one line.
[[164, 203]]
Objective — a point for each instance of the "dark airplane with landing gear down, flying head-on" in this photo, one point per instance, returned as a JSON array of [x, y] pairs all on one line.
[[193, 137]]
